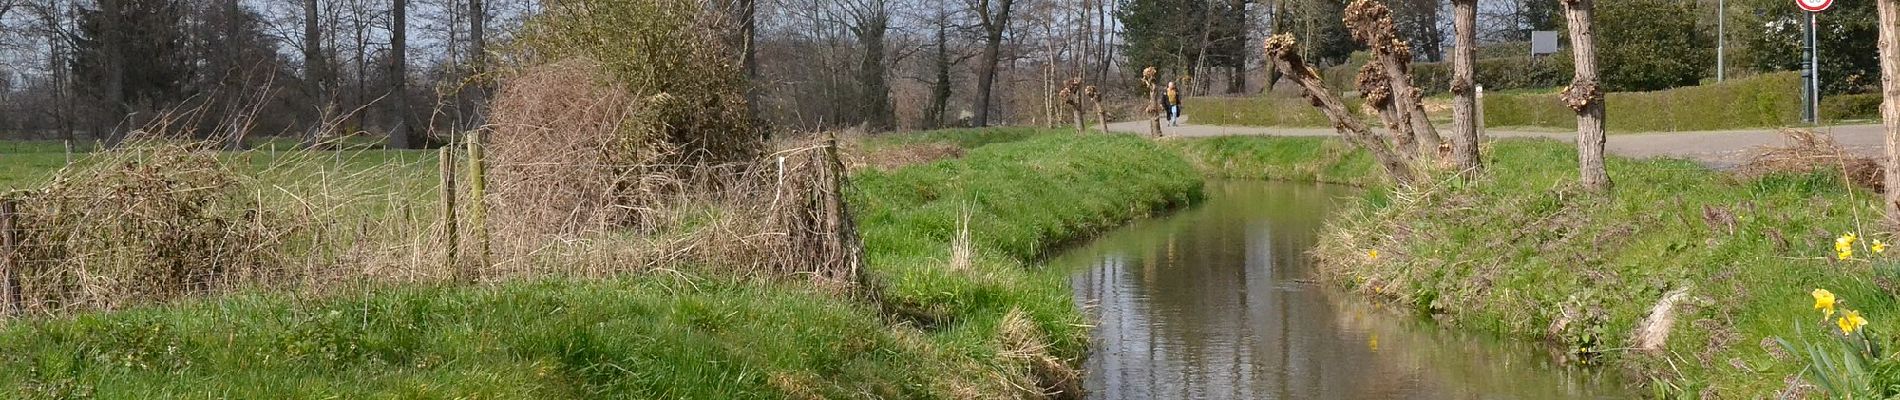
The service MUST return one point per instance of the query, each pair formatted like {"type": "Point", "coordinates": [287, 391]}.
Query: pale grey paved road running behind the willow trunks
{"type": "Point", "coordinates": [1717, 149]}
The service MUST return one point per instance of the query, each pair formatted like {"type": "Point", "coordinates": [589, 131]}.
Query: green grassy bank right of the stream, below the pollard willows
{"type": "Point", "coordinates": [1517, 249]}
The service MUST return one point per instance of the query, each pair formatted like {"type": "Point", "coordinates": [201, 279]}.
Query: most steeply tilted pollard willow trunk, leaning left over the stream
{"type": "Point", "coordinates": [1285, 54]}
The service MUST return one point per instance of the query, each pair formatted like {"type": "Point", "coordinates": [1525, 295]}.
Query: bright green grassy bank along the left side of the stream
{"type": "Point", "coordinates": [972, 331]}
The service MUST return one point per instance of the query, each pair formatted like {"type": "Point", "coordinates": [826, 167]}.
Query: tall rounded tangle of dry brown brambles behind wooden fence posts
{"type": "Point", "coordinates": [573, 153]}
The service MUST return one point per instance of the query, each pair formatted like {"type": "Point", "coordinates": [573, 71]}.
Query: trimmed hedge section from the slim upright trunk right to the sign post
{"type": "Point", "coordinates": [1757, 101]}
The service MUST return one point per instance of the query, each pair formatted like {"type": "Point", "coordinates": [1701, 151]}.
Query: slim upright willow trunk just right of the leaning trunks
{"type": "Point", "coordinates": [1466, 101]}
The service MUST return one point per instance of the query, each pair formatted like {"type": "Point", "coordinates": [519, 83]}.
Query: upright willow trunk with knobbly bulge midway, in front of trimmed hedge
{"type": "Point", "coordinates": [1586, 98]}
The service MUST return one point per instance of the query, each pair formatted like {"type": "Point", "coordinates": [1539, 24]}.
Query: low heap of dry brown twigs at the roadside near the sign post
{"type": "Point", "coordinates": [1814, 153]}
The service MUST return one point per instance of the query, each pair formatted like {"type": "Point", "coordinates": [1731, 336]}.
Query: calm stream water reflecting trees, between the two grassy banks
{"type": "Point", "coordinates": [1215, 304]}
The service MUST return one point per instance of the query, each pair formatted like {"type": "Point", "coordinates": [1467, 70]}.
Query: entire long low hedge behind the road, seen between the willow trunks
{"type": "Point", "coordinates": [1757, 101]}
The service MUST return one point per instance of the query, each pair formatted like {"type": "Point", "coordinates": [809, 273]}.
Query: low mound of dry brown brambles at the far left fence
{"type": "Point", "coordinates": [145, 223]}
